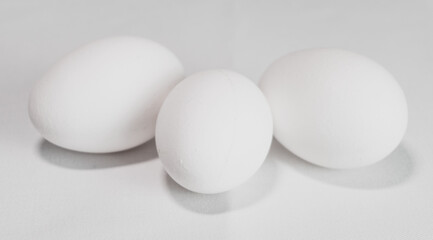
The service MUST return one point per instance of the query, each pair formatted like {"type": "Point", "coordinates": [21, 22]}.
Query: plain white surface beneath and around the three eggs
{"type": "Point", "coordinates": [49, 193]}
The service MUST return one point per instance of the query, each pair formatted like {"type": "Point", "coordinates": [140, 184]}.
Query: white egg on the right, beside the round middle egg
{"type": "Point", "coordinates": [335, 108]}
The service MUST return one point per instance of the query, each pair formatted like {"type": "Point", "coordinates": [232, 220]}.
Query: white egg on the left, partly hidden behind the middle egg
{"type": "Point", "coordinates": [104, 96]}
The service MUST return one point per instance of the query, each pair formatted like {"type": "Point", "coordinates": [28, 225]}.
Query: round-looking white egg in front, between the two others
{"type": "Point", "coordinates": [214, 131]}
